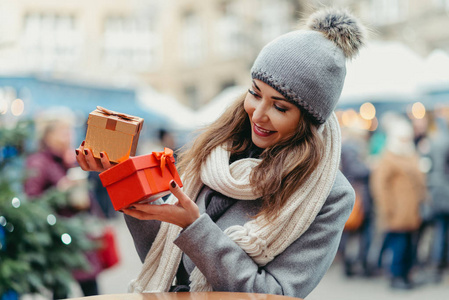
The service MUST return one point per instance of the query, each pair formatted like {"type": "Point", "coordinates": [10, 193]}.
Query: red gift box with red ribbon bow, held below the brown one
{"type": "Point", "coordinates": [144, 178]}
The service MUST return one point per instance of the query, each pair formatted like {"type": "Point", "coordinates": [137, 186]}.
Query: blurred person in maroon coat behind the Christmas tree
{"type": "Point", "coordinates": [48, 168]}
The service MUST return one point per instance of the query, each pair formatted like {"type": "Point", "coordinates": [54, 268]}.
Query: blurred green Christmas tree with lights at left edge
{"type": "Point", "coordinates": [38, 249]}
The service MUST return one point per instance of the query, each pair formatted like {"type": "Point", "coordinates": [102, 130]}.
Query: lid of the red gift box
{"type": "Point", "coordinates": [128, 167]}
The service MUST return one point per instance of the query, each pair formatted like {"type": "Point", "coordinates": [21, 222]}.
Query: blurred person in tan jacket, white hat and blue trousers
{"type": "Point", "coordinates": [398, 187]}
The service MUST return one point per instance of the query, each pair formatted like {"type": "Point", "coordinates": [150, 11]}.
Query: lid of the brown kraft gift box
{"type": "Point", "coordinates": [124, 123]}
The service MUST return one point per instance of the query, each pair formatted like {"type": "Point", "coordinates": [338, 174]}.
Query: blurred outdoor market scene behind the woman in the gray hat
{"type": "Point", "coordinates": [178, 64]}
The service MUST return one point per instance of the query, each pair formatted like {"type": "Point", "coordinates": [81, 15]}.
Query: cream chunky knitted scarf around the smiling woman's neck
{"type": "Point", "coordinates": [262, 240]}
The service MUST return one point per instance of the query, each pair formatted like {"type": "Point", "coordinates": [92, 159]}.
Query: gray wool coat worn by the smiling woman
{"type": "Point", "coordinates": [295, 272]}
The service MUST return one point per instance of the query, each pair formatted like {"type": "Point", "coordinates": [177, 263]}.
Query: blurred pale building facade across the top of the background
{"type": "Point", "coordinates": [189, 49]}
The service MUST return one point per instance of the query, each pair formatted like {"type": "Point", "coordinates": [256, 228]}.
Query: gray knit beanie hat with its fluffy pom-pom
{"type": "Point", "coordinates": [308, 66]}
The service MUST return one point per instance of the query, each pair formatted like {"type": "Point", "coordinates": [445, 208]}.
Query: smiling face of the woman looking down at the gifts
{"type": "Point", "coordinates": [272, 117]}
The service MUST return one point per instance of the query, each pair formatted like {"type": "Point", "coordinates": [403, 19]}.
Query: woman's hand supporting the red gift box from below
{"type": "Point", "coordinates": [182, 213]}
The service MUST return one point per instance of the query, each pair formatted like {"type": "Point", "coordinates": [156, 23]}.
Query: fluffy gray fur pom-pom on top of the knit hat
{"type": "Point", "coordinates": [340, 27]}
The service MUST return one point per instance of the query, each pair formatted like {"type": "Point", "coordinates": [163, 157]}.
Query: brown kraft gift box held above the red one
{"type": "Point", "coordinates": [115, 133]}
